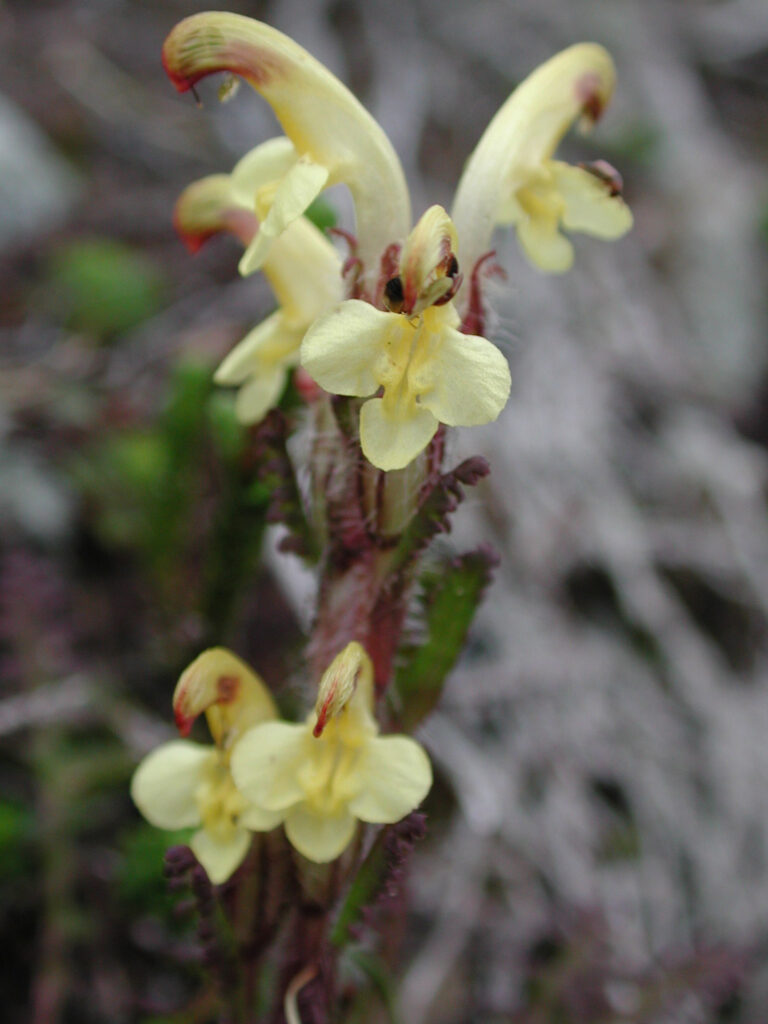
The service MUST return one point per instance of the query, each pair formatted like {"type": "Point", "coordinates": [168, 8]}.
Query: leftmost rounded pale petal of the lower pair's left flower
{"type": "Point", "coordinates": [164, 786]}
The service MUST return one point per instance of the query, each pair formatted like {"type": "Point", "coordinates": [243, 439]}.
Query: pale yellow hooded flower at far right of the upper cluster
{"type": "Point", "coordinates": [511, 178]}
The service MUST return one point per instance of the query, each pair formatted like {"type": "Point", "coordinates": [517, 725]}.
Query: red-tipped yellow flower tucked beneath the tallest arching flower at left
{"type": "Point", "coordinates": [302, 266]}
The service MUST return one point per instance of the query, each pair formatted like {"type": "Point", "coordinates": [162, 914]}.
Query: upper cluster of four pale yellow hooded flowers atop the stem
{"type": "Point", "coordinates": [404, 337]}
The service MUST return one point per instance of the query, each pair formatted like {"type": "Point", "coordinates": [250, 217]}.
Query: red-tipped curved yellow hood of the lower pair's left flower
{"type": "Point", "coordinates": [231, 694]}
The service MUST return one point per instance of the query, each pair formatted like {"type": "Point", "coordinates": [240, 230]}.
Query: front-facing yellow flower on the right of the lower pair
{"type": "Point", "coordinates": [322, 777]}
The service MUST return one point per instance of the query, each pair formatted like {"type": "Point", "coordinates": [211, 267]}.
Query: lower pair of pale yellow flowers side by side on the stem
{"type": "Point", "coordinates": [319, 779]}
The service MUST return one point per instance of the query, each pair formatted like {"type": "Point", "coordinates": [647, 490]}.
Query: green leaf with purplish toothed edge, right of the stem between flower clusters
{"type": "Point", "coordinates": [450, 599]}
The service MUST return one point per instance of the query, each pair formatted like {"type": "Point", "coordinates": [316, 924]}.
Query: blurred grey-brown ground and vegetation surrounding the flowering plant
{"type": "Point", "coordinates": [599, 843]}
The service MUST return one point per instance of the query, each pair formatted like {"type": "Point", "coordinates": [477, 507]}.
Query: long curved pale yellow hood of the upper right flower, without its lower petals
{"type": "Point", "coordinates": [523, 136]}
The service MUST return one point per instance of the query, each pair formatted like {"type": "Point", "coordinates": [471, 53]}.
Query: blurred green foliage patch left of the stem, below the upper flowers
{"type": "Point", "coordinates": [185, 496]}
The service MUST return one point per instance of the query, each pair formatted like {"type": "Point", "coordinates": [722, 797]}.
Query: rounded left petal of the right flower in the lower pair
{"type": "Point", "coordinates": [267, 762]}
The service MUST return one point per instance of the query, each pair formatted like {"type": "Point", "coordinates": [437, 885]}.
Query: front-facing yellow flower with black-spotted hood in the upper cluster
{"type": "Point", "coordinates": [430, 371]}
